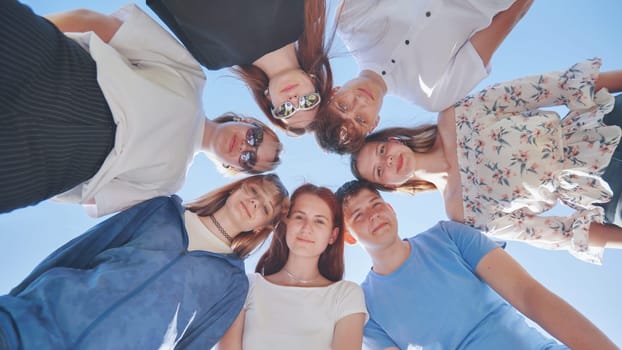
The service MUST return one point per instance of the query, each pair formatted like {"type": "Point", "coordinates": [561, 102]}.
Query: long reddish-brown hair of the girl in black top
{"type": "Point", "coordinates": [312, 53]}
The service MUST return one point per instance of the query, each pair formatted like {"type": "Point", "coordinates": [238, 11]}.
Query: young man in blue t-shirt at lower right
{"type": "Point", "coordinates": [436, 290]}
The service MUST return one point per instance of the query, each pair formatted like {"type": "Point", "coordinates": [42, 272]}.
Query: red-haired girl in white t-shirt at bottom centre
{"type": "Point", "coordinates": [297, 299]}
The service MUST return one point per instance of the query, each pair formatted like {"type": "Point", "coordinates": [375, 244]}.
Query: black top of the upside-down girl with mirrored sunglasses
{"type": "Point", "coordinates": [224, 33]}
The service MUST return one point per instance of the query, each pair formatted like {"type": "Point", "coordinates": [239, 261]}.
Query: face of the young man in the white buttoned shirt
{"type": "Point", "coordinates": [359, 100]}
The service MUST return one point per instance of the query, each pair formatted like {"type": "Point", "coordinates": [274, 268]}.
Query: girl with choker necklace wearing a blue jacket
{"type": "Point", "coordinates": [157, 275]}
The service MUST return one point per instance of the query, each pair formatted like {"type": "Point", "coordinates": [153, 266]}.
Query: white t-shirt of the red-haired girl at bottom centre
{"type": "Point", "coordinates": [282, 317]}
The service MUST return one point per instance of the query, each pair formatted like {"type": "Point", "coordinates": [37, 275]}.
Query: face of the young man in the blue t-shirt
{"type": "Point", "coordinates": [370, 220]}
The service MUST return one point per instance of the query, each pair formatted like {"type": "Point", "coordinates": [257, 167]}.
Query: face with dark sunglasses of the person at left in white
{"type": "Point", "coordinates": [243, 146]}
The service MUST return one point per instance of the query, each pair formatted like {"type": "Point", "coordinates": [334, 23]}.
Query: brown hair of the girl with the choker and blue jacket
{"type": "Point", "coordinates": [245, 242]}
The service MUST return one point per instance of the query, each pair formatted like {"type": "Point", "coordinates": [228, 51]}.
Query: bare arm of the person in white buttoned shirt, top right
{"type": "Point", "coordinates": [488, 40]}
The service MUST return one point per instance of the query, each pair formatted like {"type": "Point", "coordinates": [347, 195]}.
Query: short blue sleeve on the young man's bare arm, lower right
{"type": "Point", "coordinates": [471, 243]}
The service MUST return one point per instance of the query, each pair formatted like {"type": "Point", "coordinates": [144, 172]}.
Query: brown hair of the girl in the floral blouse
{"type": "Point", "coordinates": [419, 139]}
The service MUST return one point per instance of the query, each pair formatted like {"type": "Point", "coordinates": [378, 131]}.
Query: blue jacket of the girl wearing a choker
{"type": "Point", "coordinates": [122, 283]}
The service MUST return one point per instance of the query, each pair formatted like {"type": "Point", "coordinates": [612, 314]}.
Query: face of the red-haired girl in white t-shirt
{"type": "Point", "coordinates": [310, 226]}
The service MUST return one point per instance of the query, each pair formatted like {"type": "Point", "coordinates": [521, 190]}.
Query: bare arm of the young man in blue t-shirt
{"type": "Point", "coordinates": [552, 313]}
